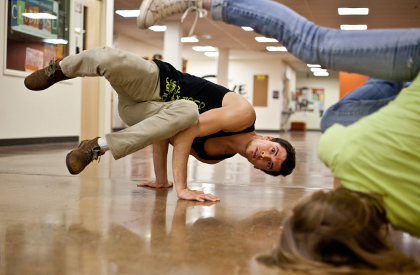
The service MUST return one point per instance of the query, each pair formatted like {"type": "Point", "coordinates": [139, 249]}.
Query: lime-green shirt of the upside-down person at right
{"type": "Point", "coordinates": [381, 153]}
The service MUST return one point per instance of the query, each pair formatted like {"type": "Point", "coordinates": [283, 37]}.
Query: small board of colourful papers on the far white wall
{"type": "Point", "coordinates": [309, 100]}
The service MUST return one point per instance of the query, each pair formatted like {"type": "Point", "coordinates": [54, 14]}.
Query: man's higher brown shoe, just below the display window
{"type": "Point", "coordinates": [44, 78]}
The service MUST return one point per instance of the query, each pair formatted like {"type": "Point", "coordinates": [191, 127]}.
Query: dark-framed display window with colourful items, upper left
{"type": "Point", "coordinates": [37, 31]}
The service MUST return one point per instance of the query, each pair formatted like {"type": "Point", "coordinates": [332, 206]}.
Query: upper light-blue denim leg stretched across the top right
{"type": "Point", "coordinates": [392, 54]}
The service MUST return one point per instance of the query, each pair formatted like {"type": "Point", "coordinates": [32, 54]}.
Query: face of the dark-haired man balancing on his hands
{"type": "Point", "coordinates": [265, 154]}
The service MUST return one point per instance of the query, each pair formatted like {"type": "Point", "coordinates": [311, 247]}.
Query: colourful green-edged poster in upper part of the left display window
{"type": "Point", "coordinates": [25, 13]}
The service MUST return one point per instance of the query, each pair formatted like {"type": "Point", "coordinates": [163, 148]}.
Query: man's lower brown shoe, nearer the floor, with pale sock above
{"type": "Point", "coordinates": [78, 159]}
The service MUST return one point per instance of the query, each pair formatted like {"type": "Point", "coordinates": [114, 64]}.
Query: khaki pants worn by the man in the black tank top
{"type": "Point", "coordinates": [136, 82]}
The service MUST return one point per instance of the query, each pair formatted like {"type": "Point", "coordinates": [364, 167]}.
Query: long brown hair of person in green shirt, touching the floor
{"type": "Point", "coordinates": [338, 231]}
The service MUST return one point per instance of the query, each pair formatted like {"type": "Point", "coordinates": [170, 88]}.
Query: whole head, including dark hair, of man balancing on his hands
{"type": "Point", "coordinates": [274, 156]}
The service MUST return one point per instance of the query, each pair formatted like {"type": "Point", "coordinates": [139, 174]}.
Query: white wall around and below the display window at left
{"type": "Point", "coordinates": [54, 112]}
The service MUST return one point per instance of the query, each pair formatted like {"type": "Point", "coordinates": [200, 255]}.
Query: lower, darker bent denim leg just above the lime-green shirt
{"type": "Point", "coordinates": [361, 102]}
